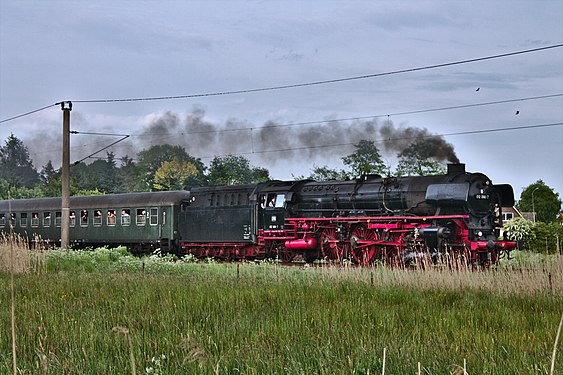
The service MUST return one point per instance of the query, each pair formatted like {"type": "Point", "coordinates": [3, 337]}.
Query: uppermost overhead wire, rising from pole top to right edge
{"type": "Point", "coordinates": [324, 82]}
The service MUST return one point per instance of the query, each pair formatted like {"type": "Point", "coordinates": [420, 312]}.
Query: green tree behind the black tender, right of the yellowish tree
{"type": "Point", "coordinates": [231, 170]}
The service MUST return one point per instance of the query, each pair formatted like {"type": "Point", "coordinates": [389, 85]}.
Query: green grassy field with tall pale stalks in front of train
{"type": "Point", "coordinates": [106, 312]}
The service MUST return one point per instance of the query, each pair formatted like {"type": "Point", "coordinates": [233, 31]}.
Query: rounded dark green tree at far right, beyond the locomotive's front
{"type": "Point", "coordinates": [541, 199]}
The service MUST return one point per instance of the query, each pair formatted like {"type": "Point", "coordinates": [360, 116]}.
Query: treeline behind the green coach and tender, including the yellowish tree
{"type": "Point", "coordinates": [161, 167]}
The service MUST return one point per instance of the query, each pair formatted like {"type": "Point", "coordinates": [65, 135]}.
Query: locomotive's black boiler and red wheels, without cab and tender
{"type": "Point", "coordinates": [400, 218]}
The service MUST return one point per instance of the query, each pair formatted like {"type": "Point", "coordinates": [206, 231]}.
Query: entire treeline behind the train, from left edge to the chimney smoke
{"type": "Point", "coordinates": [169, 167]}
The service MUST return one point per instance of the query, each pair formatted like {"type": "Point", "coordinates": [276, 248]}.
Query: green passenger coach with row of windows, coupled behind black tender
{"type": "Point", "coordinates": [140, 221]}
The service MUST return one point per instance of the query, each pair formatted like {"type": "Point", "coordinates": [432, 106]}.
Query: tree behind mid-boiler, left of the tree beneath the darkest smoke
{"type": "Point", "coordinates": [365, 160]}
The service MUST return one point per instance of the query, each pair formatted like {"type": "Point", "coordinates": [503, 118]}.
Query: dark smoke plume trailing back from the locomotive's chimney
{"type": "Point", "coordinates": [271, 143]}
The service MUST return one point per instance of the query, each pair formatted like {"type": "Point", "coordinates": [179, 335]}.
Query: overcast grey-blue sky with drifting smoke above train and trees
{"type": "Point", "coordinates": [52, 51]}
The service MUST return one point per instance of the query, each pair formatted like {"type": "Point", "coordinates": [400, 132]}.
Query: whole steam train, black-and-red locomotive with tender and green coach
{"type": "Point", "coordinates": [396, 220]}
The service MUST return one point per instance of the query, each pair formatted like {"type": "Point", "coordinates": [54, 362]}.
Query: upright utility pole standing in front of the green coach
{"type": "Point", "coordinates": [65, 176]}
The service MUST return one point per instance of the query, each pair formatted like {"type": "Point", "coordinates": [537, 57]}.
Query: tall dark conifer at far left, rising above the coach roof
{"type": "Point", "coordinates": [15, 165]}
